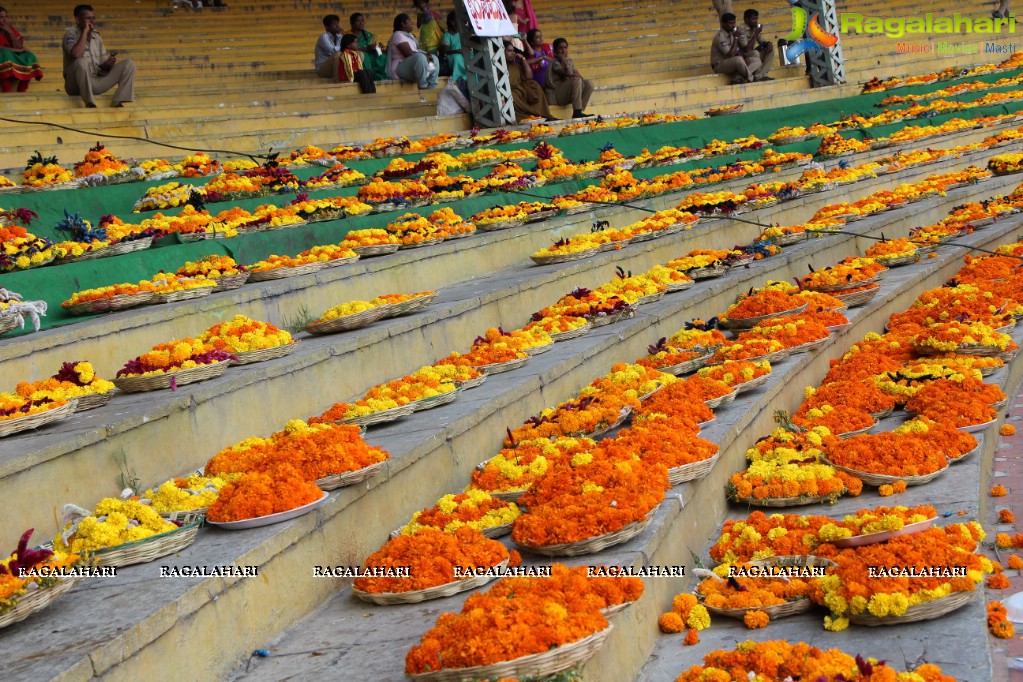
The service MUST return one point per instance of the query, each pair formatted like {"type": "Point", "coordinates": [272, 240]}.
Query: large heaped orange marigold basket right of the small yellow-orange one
{"type": "Point", "coordinates": [597, 501]}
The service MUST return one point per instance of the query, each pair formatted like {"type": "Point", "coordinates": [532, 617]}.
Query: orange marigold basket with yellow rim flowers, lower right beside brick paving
{"type": "Point", "coordinates": [927, 581]}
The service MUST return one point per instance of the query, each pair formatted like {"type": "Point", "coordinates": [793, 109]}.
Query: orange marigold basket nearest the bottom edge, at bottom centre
{"type": "Point", "coordinates": [547, 632]}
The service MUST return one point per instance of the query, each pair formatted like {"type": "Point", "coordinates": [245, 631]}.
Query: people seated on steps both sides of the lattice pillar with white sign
{"type": "Point", "coordinates": [541, 74]}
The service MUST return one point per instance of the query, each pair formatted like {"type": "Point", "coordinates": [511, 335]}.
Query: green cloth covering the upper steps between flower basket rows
{"type": "Point", "coordinates": [56, 285]}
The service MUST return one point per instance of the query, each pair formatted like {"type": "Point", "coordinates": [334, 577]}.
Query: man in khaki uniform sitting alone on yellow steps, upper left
{"type": "Point", "coordinates": [90, 69]}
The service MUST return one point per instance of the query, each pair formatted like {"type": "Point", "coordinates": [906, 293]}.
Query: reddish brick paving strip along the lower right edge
{"type": "Point", "coordinates": [1008, 472]}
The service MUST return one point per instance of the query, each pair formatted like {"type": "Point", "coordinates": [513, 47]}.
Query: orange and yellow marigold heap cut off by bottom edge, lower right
{"type": "Point", "coordinates": [780, 660]}
